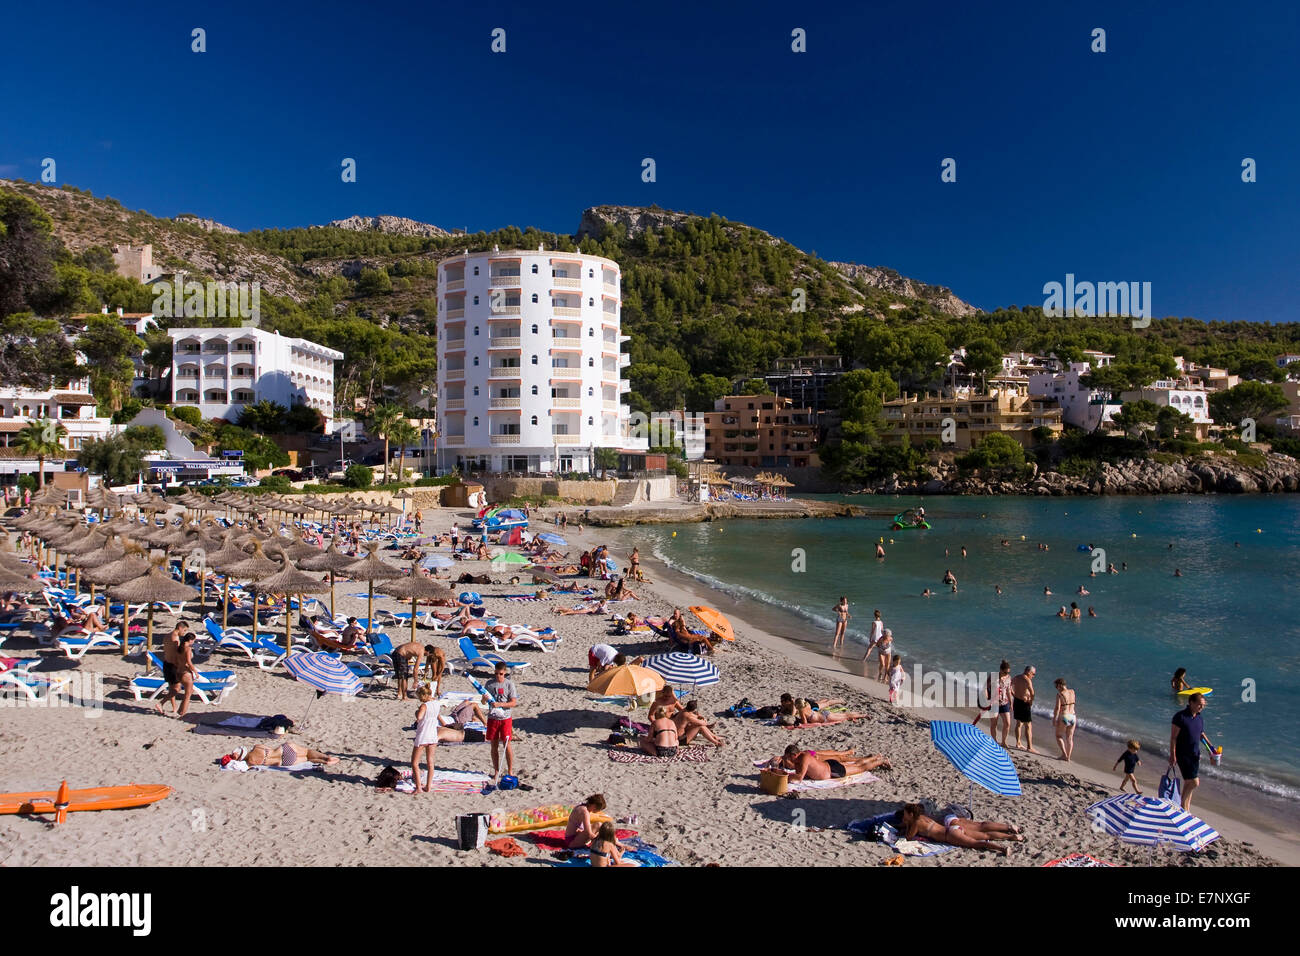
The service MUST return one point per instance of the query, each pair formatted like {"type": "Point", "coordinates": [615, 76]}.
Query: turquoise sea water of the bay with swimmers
{"type": "Point", "coordinates": [1232, 620]}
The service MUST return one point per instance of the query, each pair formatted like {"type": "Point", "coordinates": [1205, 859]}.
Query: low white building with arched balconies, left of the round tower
{"type": "Point", "coordinates": [223, 371]}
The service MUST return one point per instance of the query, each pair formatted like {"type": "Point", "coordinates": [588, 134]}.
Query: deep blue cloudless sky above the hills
{"type": "Point", "coordinates": [1116, 167]}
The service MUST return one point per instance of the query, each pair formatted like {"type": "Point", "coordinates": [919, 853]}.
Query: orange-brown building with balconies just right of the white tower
{"type": "Point", "coordinates": [761, 432]}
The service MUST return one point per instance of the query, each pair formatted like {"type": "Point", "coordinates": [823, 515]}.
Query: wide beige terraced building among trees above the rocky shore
{"type": "Point", "coordinates": [1007, 409]}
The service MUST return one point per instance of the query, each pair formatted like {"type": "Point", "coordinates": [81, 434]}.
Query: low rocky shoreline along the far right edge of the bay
{"type": "Point", "coordinates": [1194, 475]}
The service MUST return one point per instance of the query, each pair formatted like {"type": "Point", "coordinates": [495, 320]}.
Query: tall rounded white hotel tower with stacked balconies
{"type": "Point", "coordinates": [530, 361]}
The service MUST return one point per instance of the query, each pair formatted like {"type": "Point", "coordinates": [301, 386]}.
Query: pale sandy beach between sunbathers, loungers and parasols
{"type": "Point", "coordinates": [694, 812]}
